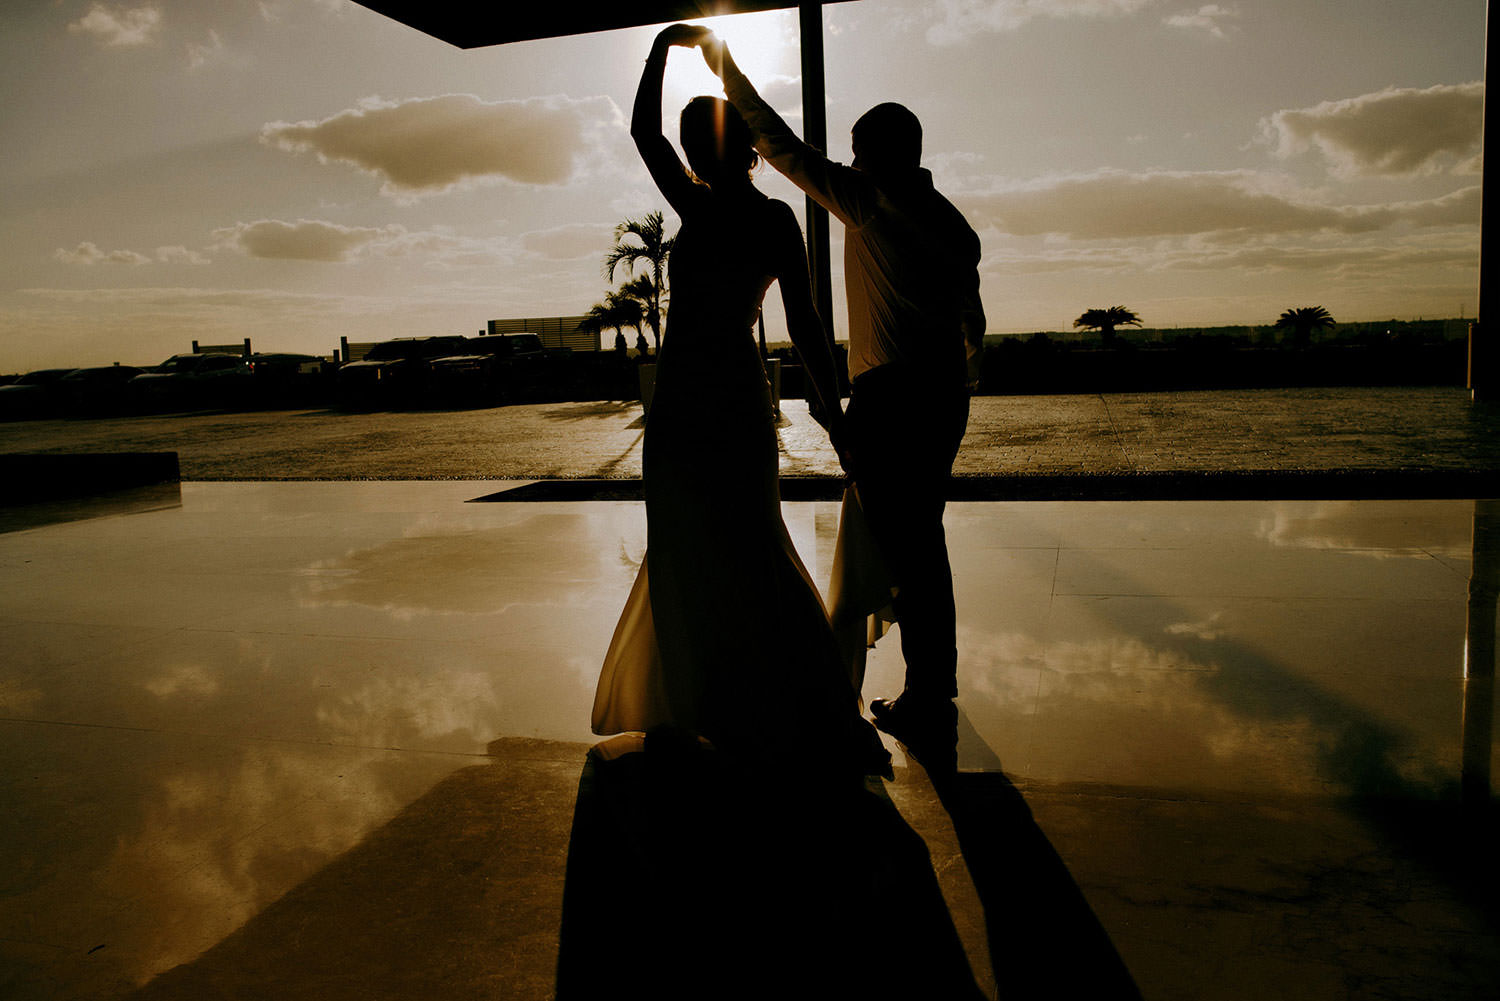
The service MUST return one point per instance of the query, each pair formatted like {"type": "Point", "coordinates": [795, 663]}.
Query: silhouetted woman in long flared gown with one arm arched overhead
{"type": "Point", "coordinates": [725, 634]}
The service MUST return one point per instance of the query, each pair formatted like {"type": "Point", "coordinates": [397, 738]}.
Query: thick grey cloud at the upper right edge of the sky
{"type": "Point", "coordinates": [1391, 133]}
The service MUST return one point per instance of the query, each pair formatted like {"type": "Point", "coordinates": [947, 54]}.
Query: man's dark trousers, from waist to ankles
{"type": "Point", "coordinates": [905, 436]}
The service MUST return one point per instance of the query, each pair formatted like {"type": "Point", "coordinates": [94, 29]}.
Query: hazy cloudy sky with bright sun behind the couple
{"type": "Point", "coordinates": [302, 170]}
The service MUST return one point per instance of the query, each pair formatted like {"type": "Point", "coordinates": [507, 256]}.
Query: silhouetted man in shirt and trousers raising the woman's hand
{"type": "Point", "coordinates": [916, 332]}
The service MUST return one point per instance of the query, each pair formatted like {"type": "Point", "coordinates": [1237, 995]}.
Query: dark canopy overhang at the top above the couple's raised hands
{"type": "Point", "coordinates": [470, 25]}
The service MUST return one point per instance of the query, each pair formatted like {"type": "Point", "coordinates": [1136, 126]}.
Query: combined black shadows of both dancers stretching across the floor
{"type": "Point", "coordinates": [691, 879]}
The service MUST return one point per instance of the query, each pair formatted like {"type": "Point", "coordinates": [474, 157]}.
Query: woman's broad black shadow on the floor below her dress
{"type": "Point", "coordinates": [689, 880]}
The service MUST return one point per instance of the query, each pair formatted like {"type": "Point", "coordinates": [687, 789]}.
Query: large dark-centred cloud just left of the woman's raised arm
{"type": "Point", "coordinates": [434, 145]}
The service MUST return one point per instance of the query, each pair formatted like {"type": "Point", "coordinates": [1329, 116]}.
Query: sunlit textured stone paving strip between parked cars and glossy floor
{"type": "Point", "coordinates": [1303, 430]}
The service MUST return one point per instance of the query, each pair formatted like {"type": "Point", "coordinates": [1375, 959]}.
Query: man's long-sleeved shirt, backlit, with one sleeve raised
{"type": "Point", "coordinates": [911, 260]}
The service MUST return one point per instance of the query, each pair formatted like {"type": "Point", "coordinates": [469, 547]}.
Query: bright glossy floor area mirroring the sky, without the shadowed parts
{"type": "Point", "coordinates": [202, 706]}
